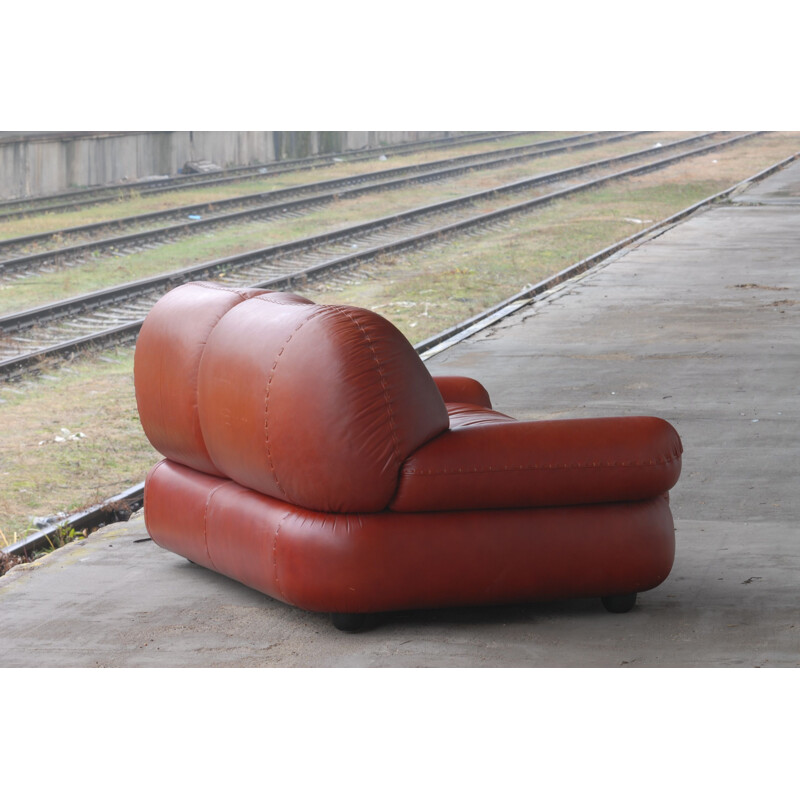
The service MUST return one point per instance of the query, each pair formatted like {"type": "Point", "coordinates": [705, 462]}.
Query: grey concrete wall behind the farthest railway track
{"type": "Point", "coordinates": [34, 163]}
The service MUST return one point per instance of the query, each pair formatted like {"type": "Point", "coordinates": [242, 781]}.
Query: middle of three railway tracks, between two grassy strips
{"type": "Point", "coordinates": [17, 257]}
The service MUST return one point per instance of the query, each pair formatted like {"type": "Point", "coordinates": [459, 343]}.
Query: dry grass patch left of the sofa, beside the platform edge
{"type": "Point", "coordinates": [70, 439]}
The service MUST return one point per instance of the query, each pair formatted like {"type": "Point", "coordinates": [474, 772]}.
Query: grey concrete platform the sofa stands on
{"type": "Point", "coordinates": [699, 325]}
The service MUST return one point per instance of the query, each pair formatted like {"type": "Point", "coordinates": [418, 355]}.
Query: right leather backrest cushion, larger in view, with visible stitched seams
{"type": "Point", "coordinates": [316, 405]}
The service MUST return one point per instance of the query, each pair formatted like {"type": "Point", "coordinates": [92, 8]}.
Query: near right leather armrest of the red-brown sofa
{"type": "Point", "coordinates": [547, 463]}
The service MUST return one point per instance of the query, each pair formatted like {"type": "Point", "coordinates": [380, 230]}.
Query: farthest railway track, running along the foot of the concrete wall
{"type": "Point", "coordinates": [76, 198]}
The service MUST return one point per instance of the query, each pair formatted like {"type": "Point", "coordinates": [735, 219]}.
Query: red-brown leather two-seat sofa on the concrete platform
{"type": "Point", "coordinates": [310, 455]}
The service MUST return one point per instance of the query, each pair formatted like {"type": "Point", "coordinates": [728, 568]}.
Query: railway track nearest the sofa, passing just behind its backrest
{"type": "Point", "coordinates": [116, 314]}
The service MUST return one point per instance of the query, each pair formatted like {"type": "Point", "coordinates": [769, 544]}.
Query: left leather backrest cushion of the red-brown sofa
{"type": "Point", "coordinates": [166, 363]}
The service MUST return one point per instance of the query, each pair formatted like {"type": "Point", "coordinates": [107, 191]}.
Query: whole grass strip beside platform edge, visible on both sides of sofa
{"type": "Point", "coordinates": [422, 292]}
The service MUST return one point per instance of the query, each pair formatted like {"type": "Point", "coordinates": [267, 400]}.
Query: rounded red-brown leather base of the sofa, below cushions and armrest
{"type": "Point", "coordinates": [376, 562]}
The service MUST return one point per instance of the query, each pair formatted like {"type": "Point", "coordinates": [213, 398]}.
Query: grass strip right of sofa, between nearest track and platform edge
{"type": "Point", "coordinates": [426, 291]}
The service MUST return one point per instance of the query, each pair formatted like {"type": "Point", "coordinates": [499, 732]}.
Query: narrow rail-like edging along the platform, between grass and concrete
{"type": "Point", "coordinates": [431, 346]}
